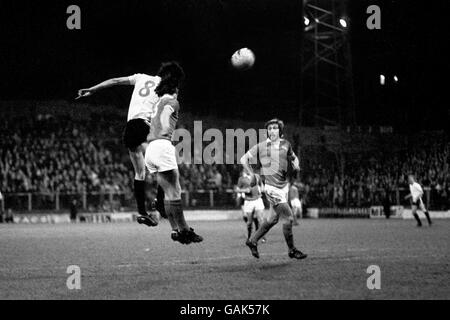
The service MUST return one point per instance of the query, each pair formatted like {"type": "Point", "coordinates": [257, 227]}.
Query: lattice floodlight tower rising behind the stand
{"type": "Point", "coordinates": [327, 91]}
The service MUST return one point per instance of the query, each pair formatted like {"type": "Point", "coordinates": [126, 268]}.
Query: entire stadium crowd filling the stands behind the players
{"type": "Point", "coordinates": [47, 155]}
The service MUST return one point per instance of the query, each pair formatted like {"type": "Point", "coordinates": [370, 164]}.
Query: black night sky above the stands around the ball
{"type": "Point", "coordinates": [41, 59]}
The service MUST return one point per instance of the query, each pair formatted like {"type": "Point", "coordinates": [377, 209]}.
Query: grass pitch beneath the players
{"type": "Point", "coordinates": [130, 261]}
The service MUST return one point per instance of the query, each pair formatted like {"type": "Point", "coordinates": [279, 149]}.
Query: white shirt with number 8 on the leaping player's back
{"type": "Point", "coordinates": [144, 99]}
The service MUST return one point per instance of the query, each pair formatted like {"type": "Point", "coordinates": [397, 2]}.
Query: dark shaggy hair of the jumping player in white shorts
{"type": "Point", "coordinates": [171, 75]}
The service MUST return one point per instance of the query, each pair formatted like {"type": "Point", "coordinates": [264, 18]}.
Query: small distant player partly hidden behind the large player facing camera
{"type": "Point", "coordinates": [253, 207]}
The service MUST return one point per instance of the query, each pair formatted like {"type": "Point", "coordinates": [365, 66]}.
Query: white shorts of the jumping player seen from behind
{"type": "Point", "coordinates": [160, 156]}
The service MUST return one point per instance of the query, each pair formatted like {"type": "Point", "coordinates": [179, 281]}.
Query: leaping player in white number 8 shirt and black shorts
{"type": "Point", "coordinates": [141, 110]}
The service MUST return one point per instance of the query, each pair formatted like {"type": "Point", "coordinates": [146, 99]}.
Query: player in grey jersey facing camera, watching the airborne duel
{"type": "Point", "coordinates": [274, 156]}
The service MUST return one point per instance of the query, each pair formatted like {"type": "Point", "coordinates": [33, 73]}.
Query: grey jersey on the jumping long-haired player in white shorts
{"type": "Point", "coordinates": [156, 129]}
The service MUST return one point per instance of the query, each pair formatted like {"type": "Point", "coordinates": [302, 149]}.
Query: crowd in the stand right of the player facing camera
{"type": "Point", "coordinates": [368, 178]}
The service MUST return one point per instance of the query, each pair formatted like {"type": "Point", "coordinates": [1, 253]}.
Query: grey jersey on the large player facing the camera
{"type": "Point", "coordinates": [273, 161]}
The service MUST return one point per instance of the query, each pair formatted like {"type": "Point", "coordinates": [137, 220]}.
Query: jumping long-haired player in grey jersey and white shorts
{"type": "Point", "coordinates": [160, 154]}
